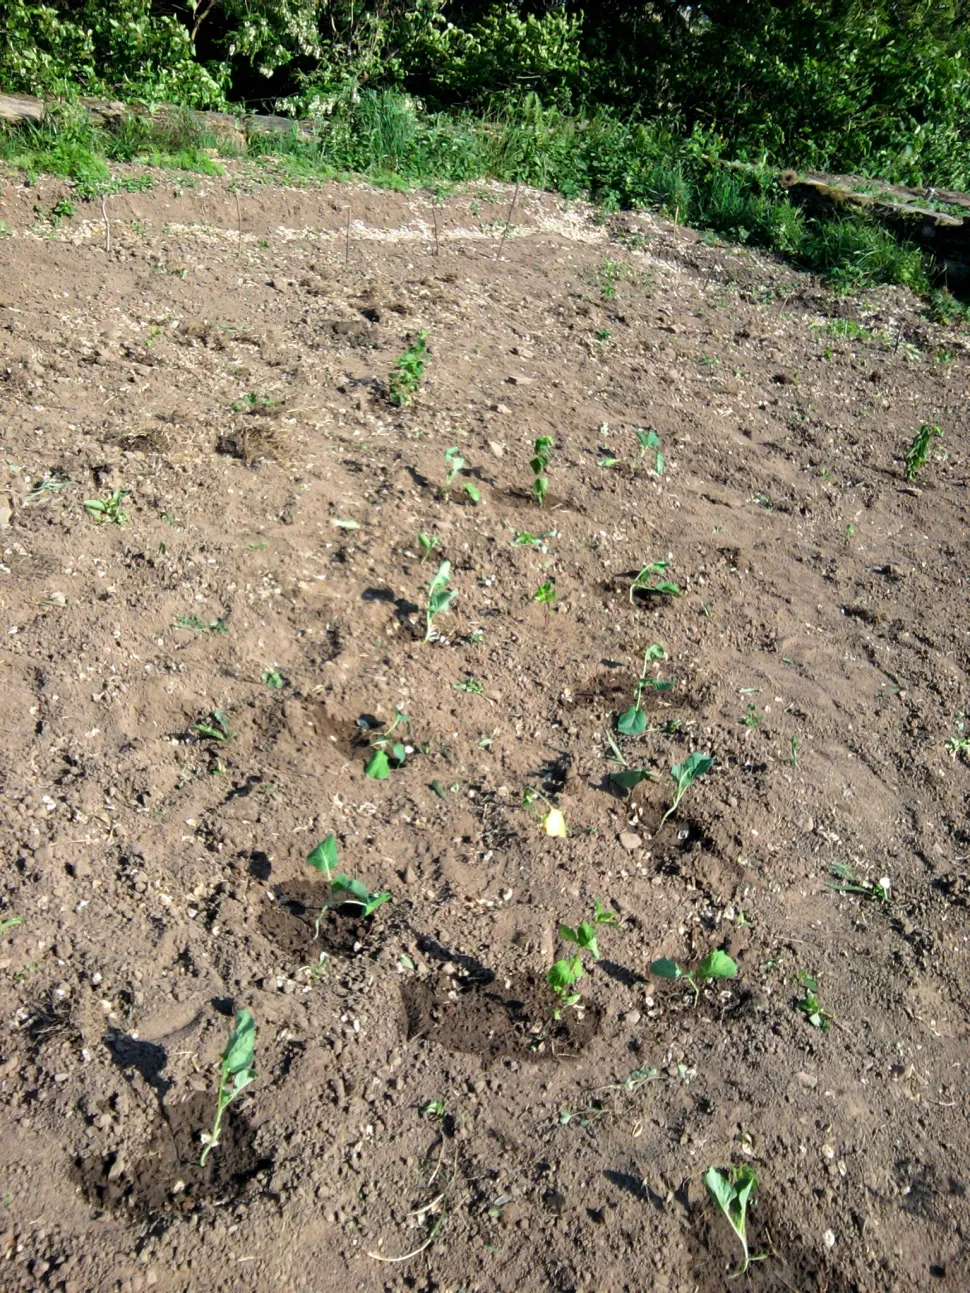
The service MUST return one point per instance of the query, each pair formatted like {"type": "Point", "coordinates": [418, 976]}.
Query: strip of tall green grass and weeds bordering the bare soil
{"type": "Point", "coordinates": [391, 140]}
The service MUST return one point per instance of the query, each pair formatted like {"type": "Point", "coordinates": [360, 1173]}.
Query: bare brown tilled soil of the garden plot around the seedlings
{"type": "Point", "coordinates": [162, 879]}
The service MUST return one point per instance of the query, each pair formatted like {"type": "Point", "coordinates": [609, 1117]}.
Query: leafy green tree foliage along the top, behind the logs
{"type": "Point", "coordinates": [841, 85]}
